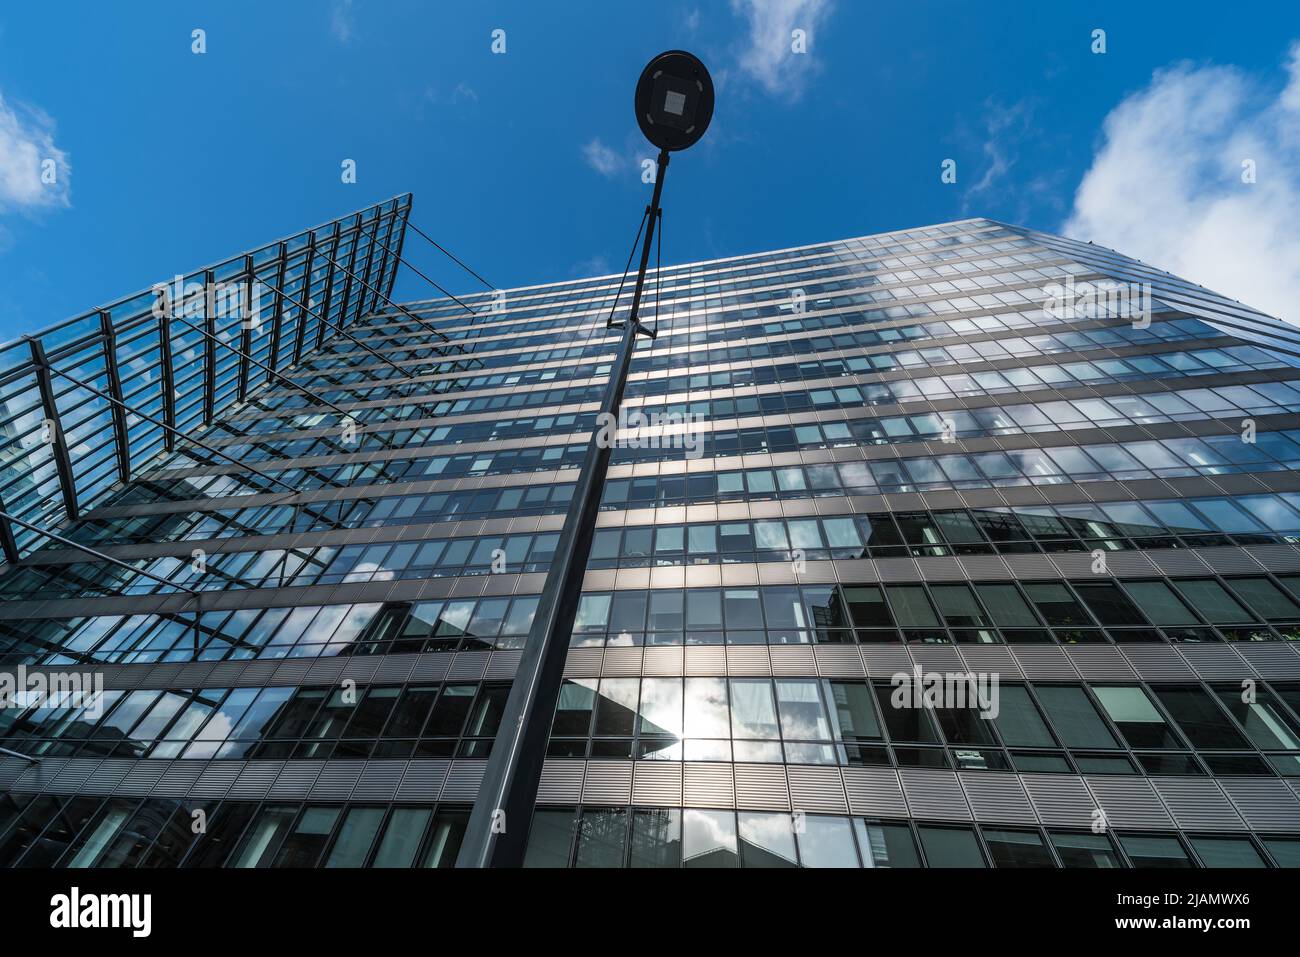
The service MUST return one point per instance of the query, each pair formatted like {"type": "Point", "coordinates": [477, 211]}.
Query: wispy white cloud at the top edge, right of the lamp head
{"type": "Point", "coordinates": [768, 57]}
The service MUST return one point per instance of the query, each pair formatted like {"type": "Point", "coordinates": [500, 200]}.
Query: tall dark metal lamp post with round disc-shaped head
{"type": "Point", "coordinates": [674, 105]}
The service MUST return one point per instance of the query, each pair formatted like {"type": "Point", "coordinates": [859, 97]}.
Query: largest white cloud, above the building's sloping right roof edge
{"type": "Point", "coordinates": [1167, 185]}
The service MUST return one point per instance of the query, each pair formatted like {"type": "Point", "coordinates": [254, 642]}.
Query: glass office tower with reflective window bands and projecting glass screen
{"type": "Point", "coordinates": [1056, 487]}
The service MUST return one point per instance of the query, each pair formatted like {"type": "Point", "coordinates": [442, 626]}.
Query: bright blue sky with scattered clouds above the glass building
{"type": "Point", "coordinates": [526, 163]}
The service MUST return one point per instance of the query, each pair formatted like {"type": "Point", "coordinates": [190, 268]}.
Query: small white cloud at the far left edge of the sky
{"type": "Point", "coordinates": [27, 149]}
